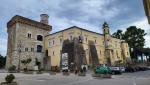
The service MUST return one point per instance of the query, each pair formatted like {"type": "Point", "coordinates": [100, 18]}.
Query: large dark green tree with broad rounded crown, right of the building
{"type": "Point", "coordinates": [135, 38]}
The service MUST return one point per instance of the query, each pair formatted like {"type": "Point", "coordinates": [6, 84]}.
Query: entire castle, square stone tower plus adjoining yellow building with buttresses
{"type": "Point", "coordinates": [31, 39]}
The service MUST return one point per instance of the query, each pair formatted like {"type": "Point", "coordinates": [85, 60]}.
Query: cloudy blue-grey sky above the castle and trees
{"type": "Point", "coordinates": [88, 14]}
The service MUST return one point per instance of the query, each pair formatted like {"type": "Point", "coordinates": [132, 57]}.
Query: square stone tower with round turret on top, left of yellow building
{"type": "Point", "coordinates": [26, 40]}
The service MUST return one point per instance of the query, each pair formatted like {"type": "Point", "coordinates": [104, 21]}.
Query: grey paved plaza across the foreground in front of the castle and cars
{"type": "Point", "coordinates": [137, 78]}
